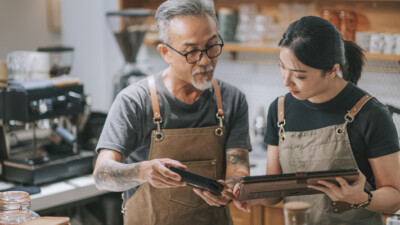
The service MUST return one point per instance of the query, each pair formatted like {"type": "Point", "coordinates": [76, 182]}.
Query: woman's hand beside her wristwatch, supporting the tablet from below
{"type": "Point", "coordinates": [353, 194]}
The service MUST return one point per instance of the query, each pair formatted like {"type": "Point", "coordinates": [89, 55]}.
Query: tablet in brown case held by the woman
{"type": "Point", "coordinates": [290, 184]}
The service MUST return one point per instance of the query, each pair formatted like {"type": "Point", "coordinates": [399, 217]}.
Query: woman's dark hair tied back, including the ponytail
{"type": "Point", "coordinates": [318, 44]}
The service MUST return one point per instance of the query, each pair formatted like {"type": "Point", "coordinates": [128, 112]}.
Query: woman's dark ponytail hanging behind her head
{"type": "Point", "coordinates": [354, 62]}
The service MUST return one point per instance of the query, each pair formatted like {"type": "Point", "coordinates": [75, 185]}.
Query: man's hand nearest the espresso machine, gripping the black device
{"type": "Point", "coordinates": [157, 173]}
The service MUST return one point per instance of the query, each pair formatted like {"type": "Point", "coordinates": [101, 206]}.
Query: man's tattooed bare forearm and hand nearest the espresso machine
{"type": "Point", "coordinates": [110, 174]}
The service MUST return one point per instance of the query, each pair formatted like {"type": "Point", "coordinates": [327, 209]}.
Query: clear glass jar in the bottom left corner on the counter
{"type": "Point", "coordinates": [15, 207]}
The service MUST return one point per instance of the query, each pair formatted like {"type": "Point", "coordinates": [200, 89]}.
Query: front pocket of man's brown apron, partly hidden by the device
{"type": "Point", "coordinates": [186, 195]}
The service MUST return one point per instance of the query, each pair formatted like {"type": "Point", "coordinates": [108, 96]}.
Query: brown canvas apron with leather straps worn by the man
{"type": "Point", "coordinates": [202, 151]}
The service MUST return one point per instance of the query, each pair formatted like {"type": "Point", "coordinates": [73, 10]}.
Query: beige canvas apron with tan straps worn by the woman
{"type": "Point", "coordinates": [326, 148]}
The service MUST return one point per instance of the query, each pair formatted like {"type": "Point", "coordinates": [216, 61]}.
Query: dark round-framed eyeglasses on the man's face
{"type": "Point", "coordinates": [195, 55]}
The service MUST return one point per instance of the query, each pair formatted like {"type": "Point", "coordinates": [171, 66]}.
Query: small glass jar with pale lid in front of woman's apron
{"type": "Point", "coordinates": [296, 213]}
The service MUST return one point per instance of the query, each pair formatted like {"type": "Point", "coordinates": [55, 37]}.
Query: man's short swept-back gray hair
{"type": "Point", "coordinates": [171, 8]}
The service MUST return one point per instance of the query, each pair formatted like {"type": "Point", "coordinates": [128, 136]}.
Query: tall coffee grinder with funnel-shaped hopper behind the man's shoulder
{"type": "Point", "coordinates": [129, 27]}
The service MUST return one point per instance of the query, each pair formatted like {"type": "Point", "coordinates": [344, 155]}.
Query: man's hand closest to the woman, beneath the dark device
{"type": "Point", "coordinates": [214, 200]}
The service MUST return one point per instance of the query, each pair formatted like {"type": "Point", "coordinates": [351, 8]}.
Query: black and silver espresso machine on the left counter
{"type": "Point", "coordinates": [39, 123]}
